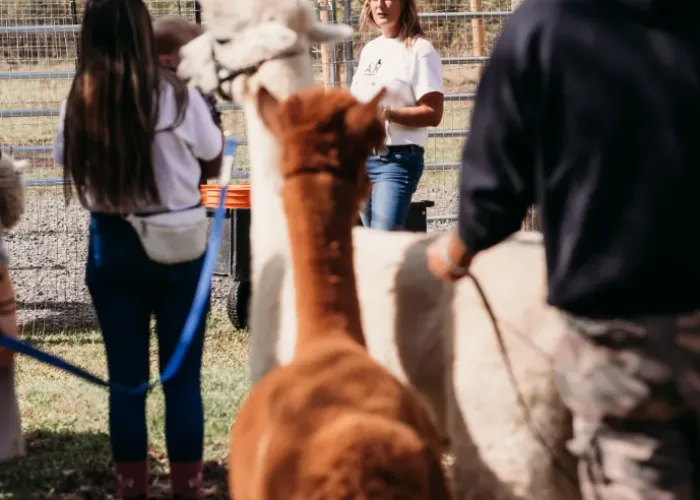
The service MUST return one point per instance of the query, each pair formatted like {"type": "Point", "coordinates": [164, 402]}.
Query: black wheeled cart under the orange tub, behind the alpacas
{"type": "Point", "coordinates": [234, 255]}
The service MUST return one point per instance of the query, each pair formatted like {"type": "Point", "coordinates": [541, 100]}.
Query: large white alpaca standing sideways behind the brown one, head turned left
{"type": "Point", "coordinates": [433, 335]}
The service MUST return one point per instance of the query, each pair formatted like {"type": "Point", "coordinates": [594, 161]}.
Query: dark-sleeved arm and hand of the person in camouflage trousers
{"type": "Point", "coordinates": [498, 160]}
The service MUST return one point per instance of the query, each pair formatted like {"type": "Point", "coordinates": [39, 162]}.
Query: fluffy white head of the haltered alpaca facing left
{"type": "Point", "coordinates": [243, 33]}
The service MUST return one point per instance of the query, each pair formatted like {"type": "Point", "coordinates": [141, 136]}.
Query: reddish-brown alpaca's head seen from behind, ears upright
{"type": "Point", "coordinates": [324, 130]}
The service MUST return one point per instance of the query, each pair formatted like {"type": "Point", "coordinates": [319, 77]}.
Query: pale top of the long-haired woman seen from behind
{"type": "Point", "coordinates": [175, 152]}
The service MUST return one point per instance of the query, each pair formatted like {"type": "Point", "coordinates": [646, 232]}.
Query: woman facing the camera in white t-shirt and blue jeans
{"type": "Point", "coordinates": [404, 61]}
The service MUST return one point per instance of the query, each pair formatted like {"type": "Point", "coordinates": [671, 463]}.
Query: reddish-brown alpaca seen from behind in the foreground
{"type": "Point", "coordinates": [332, 424]}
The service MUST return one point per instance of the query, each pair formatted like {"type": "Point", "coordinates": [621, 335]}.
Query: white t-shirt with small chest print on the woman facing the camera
{"type": "Point", "coordinates": [408, 72]}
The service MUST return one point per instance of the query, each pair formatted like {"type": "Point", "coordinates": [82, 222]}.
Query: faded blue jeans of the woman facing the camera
{"type": "Point", "coordinates": [394, 179]}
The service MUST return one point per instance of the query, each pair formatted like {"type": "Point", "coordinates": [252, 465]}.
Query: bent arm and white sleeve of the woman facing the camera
{"type": "Point", "coordinates": [427, 84]}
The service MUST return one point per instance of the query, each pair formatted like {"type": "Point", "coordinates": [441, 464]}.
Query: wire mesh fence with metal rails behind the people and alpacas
{"type": "Point", "coordinates": [37, 60]}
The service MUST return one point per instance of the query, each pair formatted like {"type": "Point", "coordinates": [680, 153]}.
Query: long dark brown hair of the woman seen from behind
{"type": "Point", "coordinates": [113, 107]}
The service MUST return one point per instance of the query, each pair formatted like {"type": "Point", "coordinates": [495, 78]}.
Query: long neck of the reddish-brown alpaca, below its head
{"type": "Point", "coordinates": [321, 211]}
